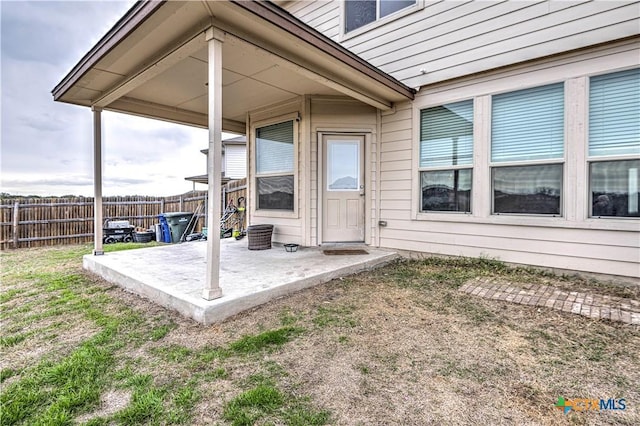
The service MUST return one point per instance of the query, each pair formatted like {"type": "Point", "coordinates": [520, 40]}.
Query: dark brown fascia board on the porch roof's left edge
{"type": "Point", "coordinates": [131, 20]}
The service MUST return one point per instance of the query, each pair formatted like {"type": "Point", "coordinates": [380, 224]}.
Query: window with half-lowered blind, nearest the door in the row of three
{"type": "Point", "coordinates": [446, 157]}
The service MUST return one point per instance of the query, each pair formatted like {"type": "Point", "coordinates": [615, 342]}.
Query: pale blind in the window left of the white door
{"type": "Point", "coordinates": [274, 148]}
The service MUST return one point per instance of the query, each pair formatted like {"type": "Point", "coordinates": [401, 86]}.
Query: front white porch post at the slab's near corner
{"type": "Point", "coordinates": [215, 38]}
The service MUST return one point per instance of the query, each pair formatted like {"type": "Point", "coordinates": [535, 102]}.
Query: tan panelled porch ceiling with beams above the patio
{"type": "Point", "coordinates": [154, 63]}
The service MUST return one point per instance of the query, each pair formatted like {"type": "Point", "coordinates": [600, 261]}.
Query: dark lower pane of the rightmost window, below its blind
{"type": "Point", "coordinates": [614, 188]}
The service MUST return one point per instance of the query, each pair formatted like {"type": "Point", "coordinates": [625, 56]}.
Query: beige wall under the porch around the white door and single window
{"type": "Point", "coordinates": [317, 116]}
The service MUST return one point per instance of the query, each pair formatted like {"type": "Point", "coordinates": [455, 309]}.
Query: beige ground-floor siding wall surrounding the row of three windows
{"type": "Point", "coordinates": [574, 241]}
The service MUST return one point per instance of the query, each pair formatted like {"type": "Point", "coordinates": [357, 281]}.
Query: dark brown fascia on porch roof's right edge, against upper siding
{"type": "Point", "coordinates": [284, 20]}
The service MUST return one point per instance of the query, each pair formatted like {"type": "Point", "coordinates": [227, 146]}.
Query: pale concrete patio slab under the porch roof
{"type": "Point", "coordinates": [173, 276]}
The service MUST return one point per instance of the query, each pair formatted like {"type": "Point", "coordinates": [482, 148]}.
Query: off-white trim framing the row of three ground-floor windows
{"type": "Point", "coordinates": [576, 171]}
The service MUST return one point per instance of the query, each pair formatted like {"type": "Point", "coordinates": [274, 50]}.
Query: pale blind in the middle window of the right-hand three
{"type": "Point", "coordinates": [528, 124]}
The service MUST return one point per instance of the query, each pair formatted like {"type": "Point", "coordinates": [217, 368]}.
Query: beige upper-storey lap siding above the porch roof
{"type": "Point", "coordinates": [440, 40]}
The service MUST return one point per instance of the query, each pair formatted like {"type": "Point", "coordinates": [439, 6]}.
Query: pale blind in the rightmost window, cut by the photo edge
{"type": "Point", "coordinates": [614, 114]}
